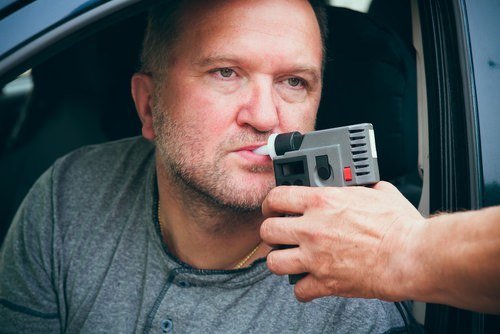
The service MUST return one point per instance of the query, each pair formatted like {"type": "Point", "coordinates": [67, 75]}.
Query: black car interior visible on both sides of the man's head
{"type": "Point", "coordinates": [81, 95]}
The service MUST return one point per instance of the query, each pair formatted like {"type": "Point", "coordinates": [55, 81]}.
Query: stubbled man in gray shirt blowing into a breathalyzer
{"type": "Point", "coordinates": [131, 236]}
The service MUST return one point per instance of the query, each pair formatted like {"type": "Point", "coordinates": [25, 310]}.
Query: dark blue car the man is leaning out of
{"type": "Point", "coordinates": [425, 73]}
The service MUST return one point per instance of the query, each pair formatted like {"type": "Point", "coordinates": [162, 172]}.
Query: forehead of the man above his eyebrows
{"type": "Point", "coordinates": [264, 30]}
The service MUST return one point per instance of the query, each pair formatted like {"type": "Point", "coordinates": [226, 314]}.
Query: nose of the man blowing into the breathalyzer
{"type": "Point", "coordinates": [260, 110]}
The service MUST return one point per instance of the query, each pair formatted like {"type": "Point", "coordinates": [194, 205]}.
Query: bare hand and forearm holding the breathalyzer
{"type": "Point", "coordinates": [384, 249]}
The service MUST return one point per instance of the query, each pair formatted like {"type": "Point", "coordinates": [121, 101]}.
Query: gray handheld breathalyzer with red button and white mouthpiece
{"type": "Point", "coordinates": [343, 156]}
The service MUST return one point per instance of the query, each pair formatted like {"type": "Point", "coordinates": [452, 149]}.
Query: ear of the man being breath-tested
{"type": "Point", "coordinates": [142, 86]}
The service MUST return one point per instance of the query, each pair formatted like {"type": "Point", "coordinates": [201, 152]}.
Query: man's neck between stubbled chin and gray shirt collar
{"type": "Point", "coordinates": [201, 234]}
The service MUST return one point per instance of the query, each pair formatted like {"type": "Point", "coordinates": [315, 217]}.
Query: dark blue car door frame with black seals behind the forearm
{"type": "Point", "coordinates": [462, 74]}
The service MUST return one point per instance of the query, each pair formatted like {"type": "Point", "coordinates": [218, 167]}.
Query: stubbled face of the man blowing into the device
{"type": "Point", "coordinates": [240, 71]}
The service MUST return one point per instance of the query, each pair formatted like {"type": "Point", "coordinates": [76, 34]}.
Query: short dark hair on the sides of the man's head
{"type": "Point", "coordinates": [163, 29]}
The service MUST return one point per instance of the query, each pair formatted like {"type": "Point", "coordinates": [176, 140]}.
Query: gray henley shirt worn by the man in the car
{"type": "Point", "coordinates": [84, 254]}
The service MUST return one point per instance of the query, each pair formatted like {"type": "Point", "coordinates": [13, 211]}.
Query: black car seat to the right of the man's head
{"type": "Point", "coordinates": [370, 77]}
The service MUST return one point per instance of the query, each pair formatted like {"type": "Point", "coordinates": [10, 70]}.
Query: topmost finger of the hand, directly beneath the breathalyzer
{"type": "Point", "coordinates": [287, 200]}
